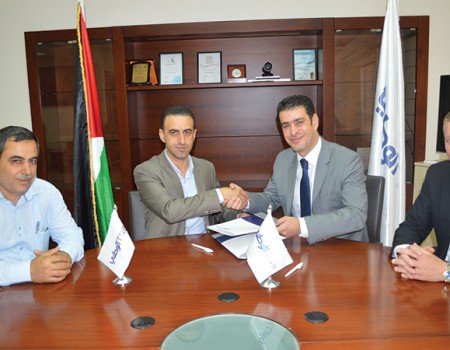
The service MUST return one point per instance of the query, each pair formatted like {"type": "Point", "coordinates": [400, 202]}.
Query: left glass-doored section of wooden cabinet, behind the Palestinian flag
{"type": "Point", "coordinates": [50, 59]}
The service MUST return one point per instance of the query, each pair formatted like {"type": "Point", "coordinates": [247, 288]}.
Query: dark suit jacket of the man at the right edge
{"type": "Point", "coordinates": [430, 210]}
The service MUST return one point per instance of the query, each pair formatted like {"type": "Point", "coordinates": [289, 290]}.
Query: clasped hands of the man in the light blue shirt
{"type": "Point", "coordinates": [50, 266]}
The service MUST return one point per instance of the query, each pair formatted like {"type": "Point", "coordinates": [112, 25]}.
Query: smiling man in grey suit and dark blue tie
{"type": "Point", "coordinates": [337, 191]}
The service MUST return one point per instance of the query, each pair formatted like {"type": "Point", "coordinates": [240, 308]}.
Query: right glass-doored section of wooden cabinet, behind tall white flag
{"type": "Point", "coordinates": [355, 83]}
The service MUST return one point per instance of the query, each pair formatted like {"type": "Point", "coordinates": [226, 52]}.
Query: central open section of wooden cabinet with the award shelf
{"type": "Point", "coordinates": [236, 123]}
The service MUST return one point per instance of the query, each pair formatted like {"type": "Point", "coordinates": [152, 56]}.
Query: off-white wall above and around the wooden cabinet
{"type": "Point", "coordinates": [19, 16]}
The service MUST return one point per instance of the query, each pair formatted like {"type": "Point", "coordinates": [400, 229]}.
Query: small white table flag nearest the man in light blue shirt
{"type": "Point", "coordinates": [118, 248]}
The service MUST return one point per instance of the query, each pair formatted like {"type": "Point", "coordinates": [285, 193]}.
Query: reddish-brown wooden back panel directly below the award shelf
{"type": "Point", "coordinates": [241, 111]}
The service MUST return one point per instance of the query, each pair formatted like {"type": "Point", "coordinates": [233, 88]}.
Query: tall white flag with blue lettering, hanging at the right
{"type": "Point", "coordinates": [387, 152]}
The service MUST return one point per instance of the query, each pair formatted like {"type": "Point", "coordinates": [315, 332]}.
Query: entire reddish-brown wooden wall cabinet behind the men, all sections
{"type": "Point", "coordinates": [236, 122]}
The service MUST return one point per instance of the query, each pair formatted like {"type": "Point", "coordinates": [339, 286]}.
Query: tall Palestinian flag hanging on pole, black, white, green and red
{"type": "Point", "coordinates": [93, 196]}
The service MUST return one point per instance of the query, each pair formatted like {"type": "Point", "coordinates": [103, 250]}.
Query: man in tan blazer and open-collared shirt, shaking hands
{"type": "Point", "coordinates": [181, 193]}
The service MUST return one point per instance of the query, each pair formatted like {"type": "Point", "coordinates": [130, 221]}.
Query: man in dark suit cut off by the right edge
{"type": "Point", "coordinates": [430, 210]}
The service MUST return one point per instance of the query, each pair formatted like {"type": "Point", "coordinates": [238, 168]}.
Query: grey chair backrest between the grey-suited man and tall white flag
{"type": "Point", "coordinates": [375, 197]}
